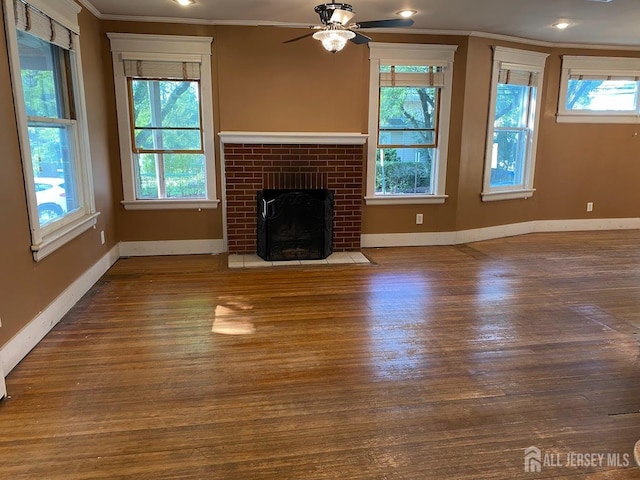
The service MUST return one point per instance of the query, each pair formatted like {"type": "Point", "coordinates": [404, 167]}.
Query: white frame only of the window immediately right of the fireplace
{"type": "Point", "coordinates": [409, 54]}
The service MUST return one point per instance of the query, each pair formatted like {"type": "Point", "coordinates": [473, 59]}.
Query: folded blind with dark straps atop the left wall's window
{"type": "Point", "coordinates": [30, 19]}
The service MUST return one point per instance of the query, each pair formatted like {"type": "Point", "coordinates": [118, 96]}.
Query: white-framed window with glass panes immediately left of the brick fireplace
{"type": "Point", "coordinates": [165, 119]}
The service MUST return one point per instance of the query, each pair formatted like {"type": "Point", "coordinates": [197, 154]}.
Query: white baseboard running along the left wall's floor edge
{"type": "Point", "coordinates": [23, 342]}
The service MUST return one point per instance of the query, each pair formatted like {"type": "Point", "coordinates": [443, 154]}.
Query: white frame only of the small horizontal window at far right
{"type": "Point", "coordinates": [624, 67]}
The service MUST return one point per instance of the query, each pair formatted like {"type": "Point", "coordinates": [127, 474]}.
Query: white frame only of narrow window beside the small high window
{"type": "Point", "coordinates": [521, 60]}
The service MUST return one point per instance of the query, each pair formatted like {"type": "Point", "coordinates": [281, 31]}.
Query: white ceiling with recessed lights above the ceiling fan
{"type": "Point", "coordinates": [592, 22]}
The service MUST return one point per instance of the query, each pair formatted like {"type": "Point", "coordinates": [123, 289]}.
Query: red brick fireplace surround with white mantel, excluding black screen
{"type": "Point", "coordinates": [254, 162]}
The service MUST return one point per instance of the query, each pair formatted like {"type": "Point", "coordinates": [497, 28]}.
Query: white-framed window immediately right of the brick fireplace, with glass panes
{"type": "Point", "coordinates": [410, 98]}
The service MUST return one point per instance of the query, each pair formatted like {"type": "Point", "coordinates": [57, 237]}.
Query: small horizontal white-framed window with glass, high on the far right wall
{"type": "Point", "coordinates": [599, 90]}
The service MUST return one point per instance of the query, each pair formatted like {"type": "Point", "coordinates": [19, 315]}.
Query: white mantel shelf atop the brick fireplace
{"type": "Point", "coordinates": [298, 138]}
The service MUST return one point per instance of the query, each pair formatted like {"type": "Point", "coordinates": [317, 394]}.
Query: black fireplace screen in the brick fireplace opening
{"type": "Point", "coordinates": [295, 224]}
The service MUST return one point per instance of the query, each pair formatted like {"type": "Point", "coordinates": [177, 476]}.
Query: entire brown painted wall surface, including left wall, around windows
{"type": "Point", "coordinates": [261, 84]}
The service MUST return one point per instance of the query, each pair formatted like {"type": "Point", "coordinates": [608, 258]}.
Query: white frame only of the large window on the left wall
{"type": "Point", "coordinates": [48, 238]}
